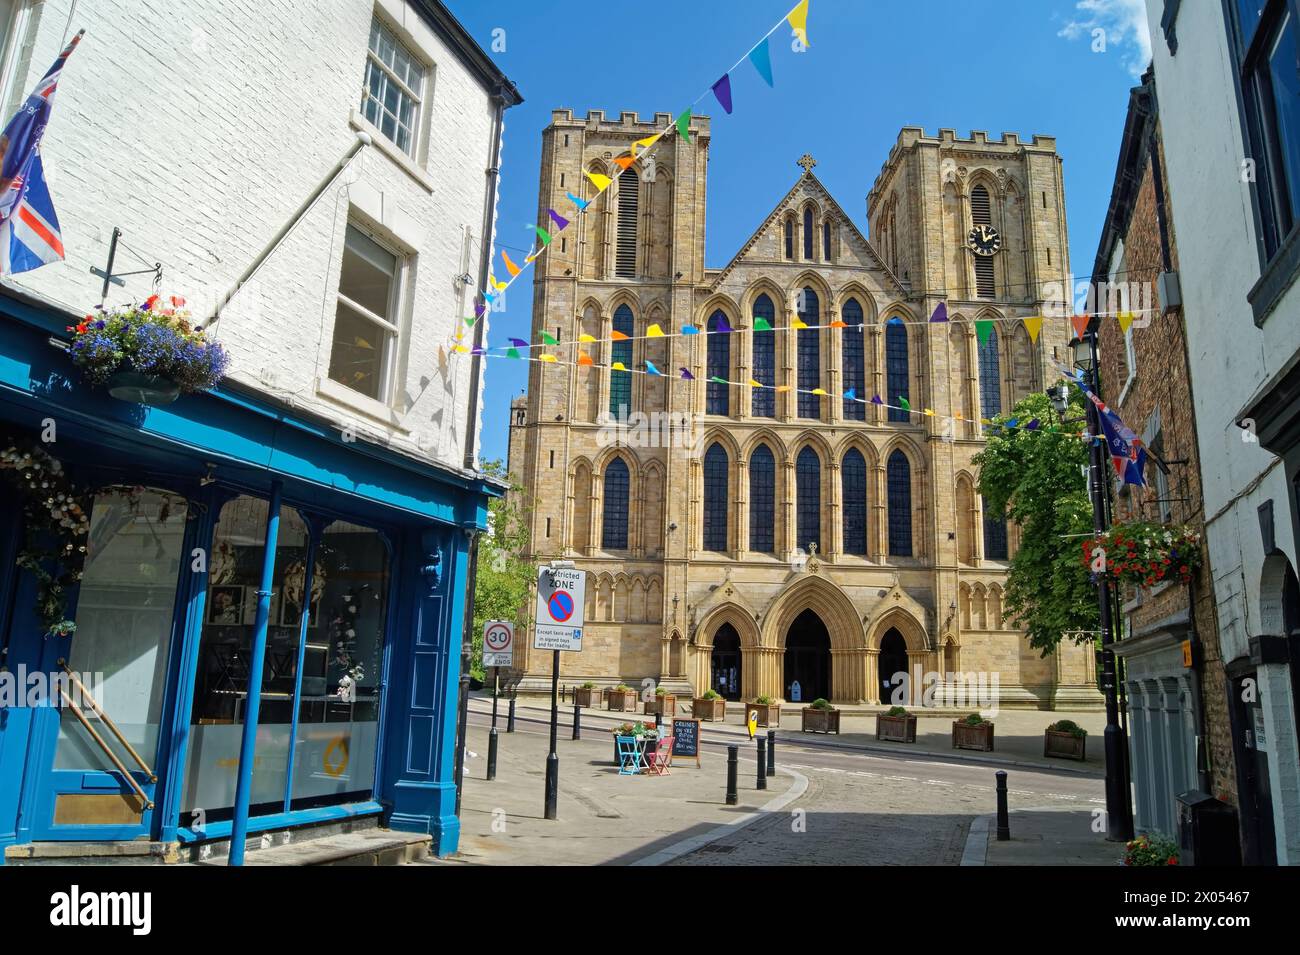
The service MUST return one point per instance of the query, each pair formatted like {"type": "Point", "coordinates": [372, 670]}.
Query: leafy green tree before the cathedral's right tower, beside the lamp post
{"type": "Point", "coordinates": [1038, 480]}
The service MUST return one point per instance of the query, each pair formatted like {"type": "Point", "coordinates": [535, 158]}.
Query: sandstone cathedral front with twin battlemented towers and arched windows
{"type": "Point", "coordinates": [766, 541]}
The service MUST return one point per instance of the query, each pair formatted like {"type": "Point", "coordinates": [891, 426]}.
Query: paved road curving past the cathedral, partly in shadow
{"type": "Point", "coordinates": [874, 810]}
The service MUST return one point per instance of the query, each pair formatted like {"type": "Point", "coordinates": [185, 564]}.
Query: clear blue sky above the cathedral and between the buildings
{"type": "Point", "coordinates": [873, 67]}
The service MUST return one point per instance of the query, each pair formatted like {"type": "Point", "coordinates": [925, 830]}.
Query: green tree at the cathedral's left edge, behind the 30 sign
{"type": "Point", "coordinates": [504, 579]}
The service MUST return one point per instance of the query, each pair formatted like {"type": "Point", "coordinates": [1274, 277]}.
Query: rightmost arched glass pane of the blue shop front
{"type": "Point", "coordinates": [339, 707]}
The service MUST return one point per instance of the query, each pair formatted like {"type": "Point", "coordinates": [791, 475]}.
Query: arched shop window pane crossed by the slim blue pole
{"type": "Point", "coordinates": [222, 683]}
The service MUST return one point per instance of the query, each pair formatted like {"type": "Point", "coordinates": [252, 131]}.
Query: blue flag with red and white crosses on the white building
{"type": "Point", "coordinates": [29, 228]}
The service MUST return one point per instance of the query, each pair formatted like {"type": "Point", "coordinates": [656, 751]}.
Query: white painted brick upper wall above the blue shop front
{"type": "Point", "coordinates": [198, 128]}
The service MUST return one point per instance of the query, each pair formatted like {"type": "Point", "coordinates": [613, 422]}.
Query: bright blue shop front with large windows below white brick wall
{"type": "Point", "coordinates": [192, 507]}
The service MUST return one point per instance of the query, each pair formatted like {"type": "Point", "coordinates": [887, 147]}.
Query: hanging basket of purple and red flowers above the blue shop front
{"type": "Point", "coordinates": [149, 354]}
